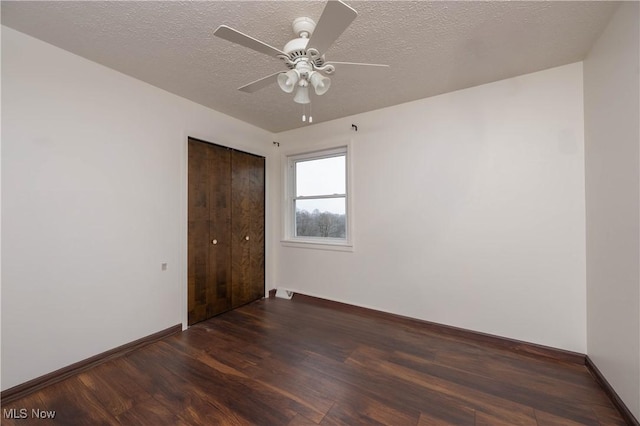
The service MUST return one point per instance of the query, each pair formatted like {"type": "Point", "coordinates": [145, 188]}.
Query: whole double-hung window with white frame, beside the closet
{"type": "Point", "coordinates": [317, 198]}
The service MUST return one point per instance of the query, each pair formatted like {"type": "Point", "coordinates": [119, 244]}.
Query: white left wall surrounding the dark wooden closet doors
{"type": "Point", "coordinates": [93, 201]}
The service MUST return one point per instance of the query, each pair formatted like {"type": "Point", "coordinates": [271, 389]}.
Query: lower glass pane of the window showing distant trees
{"type": "Point", "coordinates": [321, 218]}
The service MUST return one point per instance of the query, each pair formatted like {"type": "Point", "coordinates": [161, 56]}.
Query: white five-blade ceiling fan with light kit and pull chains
{"type": "Point", "coordinates": [304, 55]}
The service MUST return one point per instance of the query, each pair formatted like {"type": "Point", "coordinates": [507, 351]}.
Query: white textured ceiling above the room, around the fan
{"type": "Point", "coordinates": [432, 47]}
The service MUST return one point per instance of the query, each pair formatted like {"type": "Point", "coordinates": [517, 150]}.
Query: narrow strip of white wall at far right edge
{"type": "Point", "coordinates": [612, 150]}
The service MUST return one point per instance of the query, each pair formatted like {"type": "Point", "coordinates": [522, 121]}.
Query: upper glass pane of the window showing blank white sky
{"type": "Point", "coordinates": [325, 176]}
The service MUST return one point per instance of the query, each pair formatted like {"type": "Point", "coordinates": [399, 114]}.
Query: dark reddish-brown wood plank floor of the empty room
{"type": "Point", "coordinates": [279, 362]}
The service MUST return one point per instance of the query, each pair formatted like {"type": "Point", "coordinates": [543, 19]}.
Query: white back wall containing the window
{"type": "Point", "coordinates": [469, 211]}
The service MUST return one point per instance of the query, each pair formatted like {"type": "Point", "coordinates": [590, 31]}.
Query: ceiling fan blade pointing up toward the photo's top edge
{"type": "Point", "coordinates": [335, 18]}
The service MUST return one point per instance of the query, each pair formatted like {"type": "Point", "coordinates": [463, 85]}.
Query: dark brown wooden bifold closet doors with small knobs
{"type": "Point", "coordinates": [225, 230]}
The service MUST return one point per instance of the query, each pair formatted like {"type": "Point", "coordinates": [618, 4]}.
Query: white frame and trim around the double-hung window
{"type": "Point", "coordinates": [289, 217]}
